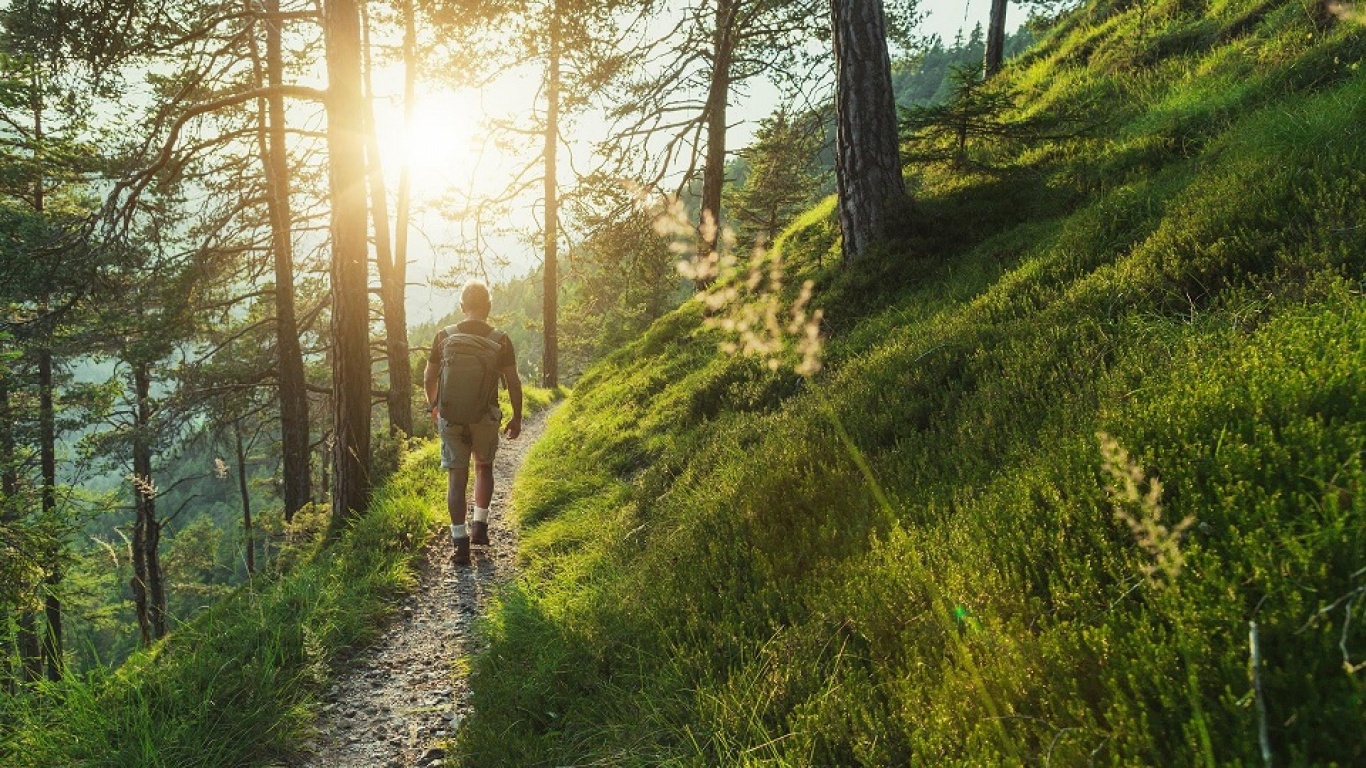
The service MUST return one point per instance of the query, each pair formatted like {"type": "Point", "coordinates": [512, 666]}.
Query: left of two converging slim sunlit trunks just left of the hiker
{"type": "Point", "coordinates": [391, 279]}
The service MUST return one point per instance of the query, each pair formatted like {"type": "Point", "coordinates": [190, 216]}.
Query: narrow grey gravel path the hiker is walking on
{"type": "Point", "coordinates": [406, 695]}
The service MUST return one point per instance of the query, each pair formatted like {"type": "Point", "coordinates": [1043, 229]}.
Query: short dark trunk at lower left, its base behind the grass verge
{"type": "Point", "coordinates": [148, 590]}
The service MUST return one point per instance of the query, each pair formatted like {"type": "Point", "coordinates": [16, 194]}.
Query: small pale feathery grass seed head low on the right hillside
{"type": "Point", "coordinates": [1143, 512]}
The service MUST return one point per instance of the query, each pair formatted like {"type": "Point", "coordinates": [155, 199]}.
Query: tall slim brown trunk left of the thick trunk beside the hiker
{"type": "Point", "coordinates": [293, 390]}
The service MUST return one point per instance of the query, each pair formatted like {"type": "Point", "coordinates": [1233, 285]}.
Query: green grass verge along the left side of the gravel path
{"type": "Point", "coordinates": [240, 684]}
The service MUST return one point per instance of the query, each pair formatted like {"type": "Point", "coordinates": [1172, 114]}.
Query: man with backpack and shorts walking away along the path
{"type": "Point", "coordinates": [476, 435]}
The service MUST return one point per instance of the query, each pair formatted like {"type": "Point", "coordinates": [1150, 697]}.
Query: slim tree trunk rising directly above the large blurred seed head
{"type": "Point", "coordinates": [718, 100]}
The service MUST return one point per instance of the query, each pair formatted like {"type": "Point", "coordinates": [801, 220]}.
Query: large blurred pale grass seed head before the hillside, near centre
{"type": "Point", "coordinates": [751, 311]}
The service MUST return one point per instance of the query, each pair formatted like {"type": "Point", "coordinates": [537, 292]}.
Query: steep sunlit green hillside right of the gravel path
{"type": "Point", "coordinates": [1089, 434]}
